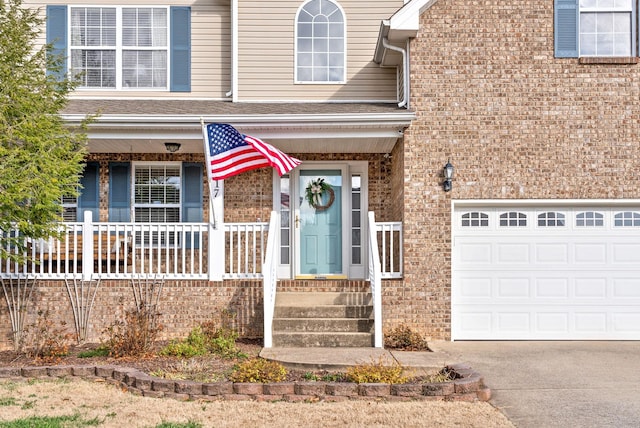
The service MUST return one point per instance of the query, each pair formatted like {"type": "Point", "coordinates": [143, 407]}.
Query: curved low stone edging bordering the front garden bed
{"type": "Point", "coordinates": [468, 386]}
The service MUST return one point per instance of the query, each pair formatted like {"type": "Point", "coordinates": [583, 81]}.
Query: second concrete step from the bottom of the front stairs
{"type": "Point", "coordinates": [342, 325]}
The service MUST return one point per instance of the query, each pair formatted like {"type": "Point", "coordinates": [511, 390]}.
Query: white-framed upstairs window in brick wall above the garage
{"type": "Point", "coordinates": [606, 27]}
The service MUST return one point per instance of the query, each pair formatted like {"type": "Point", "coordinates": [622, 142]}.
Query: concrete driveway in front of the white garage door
{"type": "Point", "coordinates": [557, 384]}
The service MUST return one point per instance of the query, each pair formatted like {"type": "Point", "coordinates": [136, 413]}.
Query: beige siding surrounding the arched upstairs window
{"type": "Point", "coordinates": [267, 54]}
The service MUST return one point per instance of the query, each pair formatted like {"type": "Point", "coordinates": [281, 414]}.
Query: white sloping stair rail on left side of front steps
{"type": "Point", "coordinates": [270, 280]}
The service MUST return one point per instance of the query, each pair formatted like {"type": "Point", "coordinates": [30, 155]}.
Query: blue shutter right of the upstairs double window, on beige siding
{"type": "Point", "coordinates": [180, 79]}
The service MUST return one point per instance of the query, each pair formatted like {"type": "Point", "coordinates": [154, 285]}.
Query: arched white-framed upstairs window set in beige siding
{"type": "Point", "coordinates": [320, 43]}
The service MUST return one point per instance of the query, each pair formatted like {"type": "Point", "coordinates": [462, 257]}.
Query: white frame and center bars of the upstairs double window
{"type": "Point", "coordinates": [119, 48]}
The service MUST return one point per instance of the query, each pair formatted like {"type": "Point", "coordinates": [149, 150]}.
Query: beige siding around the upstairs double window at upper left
{"type": "Point", "coordinates": [210, 49]}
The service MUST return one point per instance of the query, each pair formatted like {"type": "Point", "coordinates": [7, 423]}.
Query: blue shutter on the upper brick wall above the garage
{"type": "Point", "coordinates": [566, 15]}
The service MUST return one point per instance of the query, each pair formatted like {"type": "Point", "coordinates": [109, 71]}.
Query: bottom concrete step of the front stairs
{"type": "Point", "coordinates": [322, 340]}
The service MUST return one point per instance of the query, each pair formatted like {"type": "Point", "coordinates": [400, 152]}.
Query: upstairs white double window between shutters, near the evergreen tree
{"type": "Point", "coordinates": [119, 47]}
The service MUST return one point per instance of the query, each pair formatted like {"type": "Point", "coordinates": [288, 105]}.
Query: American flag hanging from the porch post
{"type": "Point", "coordinates": [230, 153]}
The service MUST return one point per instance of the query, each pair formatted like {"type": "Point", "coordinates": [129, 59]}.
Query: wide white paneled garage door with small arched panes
{"type": "Point", "coordinates": [546, 273]}
